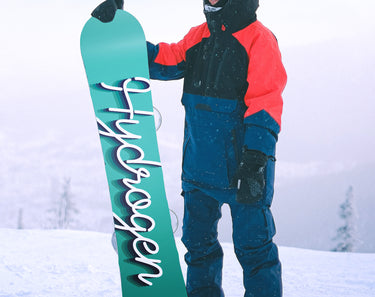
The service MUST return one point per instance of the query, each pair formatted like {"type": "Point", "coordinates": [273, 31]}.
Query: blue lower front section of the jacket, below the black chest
{"type": "Point", "coordinates": [210, 150]}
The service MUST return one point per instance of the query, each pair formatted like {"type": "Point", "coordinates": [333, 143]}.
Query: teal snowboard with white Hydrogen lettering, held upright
{"type": "Point", "coordinates": [115, 59]}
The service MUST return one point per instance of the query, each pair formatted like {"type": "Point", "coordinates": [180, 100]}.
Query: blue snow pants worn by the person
{"type": "Point", "coordinates": [253, 230]}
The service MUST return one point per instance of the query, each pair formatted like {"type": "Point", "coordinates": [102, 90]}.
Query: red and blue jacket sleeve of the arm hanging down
{"type": "Point", "coordinates": [266, 82]}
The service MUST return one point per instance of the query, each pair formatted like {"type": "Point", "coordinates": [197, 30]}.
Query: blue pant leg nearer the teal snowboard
{"type": "Point", "coordinates": [204, 255]}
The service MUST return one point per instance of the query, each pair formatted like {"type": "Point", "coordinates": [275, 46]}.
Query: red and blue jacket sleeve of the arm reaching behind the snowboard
{"type": "Point", "coordinates": [168, 61]}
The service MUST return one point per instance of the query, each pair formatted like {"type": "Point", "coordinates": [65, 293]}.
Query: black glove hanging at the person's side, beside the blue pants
{"type": "Point", "coordinates": [249, 178]}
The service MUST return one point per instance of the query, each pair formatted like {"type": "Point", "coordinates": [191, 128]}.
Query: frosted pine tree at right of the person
{"type": "Point", "coordinates": [346, 236]}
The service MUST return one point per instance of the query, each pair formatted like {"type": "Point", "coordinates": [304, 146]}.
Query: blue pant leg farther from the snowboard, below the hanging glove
{"type": "Point", "coordinates": [253, 230]}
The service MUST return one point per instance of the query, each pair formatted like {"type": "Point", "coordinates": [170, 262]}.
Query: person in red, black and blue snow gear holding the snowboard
{"type": "Point", "coordinates": [232, 94]}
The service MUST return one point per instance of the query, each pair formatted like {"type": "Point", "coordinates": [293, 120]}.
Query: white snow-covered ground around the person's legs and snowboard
{"type": "Point", "coordinates": [46, 263]}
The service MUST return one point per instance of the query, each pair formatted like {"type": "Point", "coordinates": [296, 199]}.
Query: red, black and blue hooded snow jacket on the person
{"type": "Point", "coordinates": [233, 81]}
